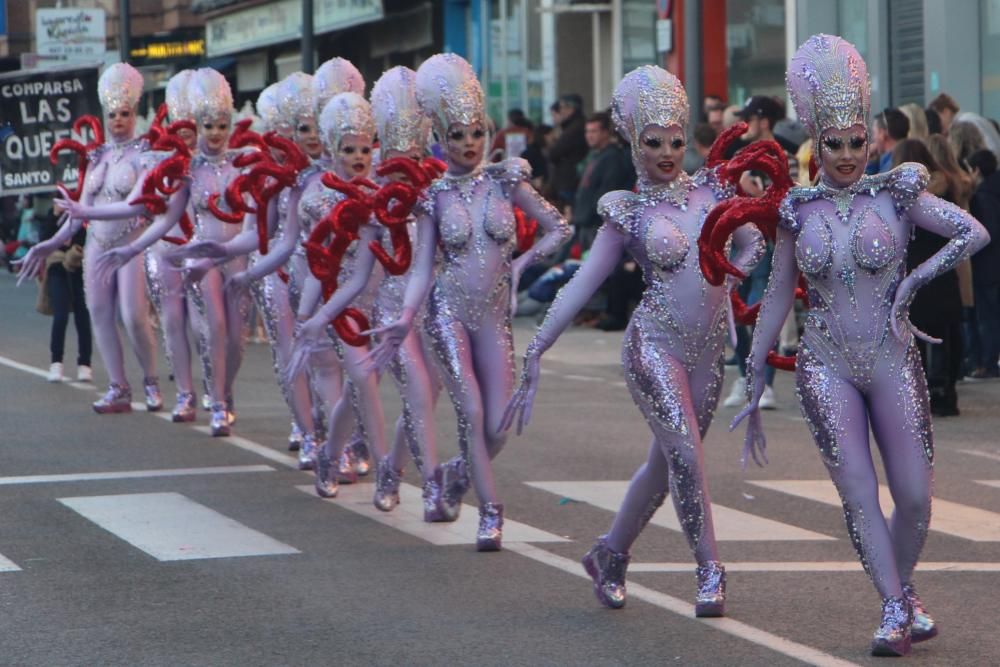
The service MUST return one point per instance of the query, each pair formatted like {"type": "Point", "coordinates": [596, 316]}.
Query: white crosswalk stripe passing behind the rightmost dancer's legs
{"type": "Point", "coordinates": [970, 523]}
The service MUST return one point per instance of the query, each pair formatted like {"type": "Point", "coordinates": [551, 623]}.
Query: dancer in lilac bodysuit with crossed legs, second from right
{"type": "Point", "coordinates": [673, 347]}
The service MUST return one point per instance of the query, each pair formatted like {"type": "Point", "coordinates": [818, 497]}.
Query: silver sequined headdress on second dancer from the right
{"type": "Point", "coordinates": [648, 95]}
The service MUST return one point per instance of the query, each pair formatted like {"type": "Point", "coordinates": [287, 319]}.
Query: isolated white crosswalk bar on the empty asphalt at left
{"type": "Point", "coordinates": [170, 526]}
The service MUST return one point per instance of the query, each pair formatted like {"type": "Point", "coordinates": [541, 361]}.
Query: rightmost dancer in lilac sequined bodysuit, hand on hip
{"type": "Point", "coordinates": [858, 364]}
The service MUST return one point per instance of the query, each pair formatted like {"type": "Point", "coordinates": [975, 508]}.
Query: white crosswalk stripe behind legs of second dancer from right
{"type": "Point", "coordinates": [730, 524]}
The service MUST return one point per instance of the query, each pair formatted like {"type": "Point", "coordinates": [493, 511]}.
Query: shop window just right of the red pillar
{"type": "Point", "coordinates": [755, 46]}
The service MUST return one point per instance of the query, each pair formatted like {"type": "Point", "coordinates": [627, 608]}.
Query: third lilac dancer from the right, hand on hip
{"type": "Point", "coordinates": [470, 213]}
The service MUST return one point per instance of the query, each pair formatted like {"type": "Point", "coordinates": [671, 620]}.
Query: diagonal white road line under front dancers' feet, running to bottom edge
{"type": "Point", "coordinates": [675, 605]}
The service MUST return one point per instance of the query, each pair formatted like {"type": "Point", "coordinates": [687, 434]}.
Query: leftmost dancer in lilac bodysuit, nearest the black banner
{"type": "Point", "coordinates": [114, 169]}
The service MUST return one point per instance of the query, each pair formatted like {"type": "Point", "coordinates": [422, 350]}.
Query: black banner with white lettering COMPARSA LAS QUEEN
{"type": "Point", "coordinates": [37, 109]}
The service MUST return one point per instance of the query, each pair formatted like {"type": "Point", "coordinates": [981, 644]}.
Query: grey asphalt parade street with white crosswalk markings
{"type": "Point", "coordinates": [127, 540]}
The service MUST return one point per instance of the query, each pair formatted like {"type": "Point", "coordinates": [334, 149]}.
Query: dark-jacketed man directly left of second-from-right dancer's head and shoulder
{"type": "Point", "coordinates": [607, 168]}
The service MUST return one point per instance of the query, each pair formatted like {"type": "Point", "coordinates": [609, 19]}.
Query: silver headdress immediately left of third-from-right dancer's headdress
{"type": "Point", "coordinates": [400, 123]}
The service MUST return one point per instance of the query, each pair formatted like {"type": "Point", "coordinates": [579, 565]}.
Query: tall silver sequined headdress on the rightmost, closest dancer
{"type": "Point", "coordinates": [828, 84]}
